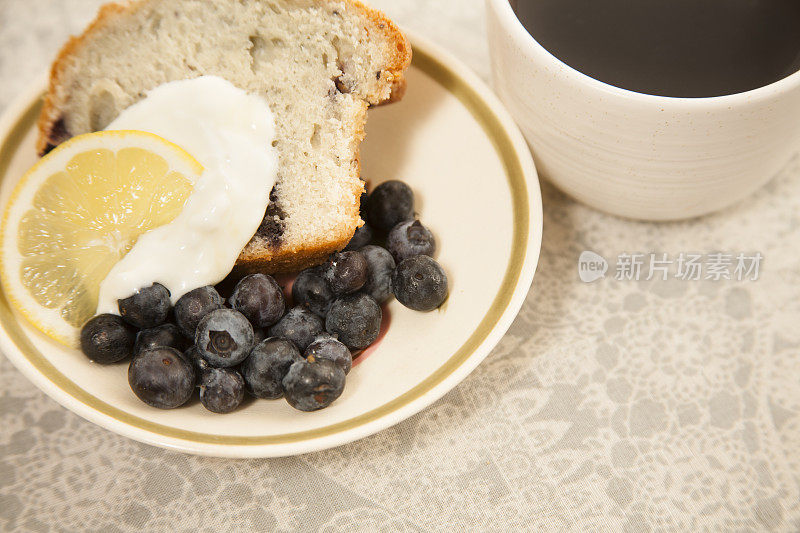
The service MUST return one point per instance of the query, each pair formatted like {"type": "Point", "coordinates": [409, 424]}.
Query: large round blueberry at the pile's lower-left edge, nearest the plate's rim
{"type": "Point", "coordinates": [161, 377]}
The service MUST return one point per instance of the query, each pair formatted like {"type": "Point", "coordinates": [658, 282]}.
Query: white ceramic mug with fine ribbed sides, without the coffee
{"type": "Point", "coordinates": [638, 155]}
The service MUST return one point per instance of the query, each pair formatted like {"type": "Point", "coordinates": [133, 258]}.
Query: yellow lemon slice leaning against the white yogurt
{"type": "Point", "coordinates": [77, 212]}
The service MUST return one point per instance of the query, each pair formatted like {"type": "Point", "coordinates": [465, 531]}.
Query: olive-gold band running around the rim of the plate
{"type": "Point", "coordinates": [521, 217]}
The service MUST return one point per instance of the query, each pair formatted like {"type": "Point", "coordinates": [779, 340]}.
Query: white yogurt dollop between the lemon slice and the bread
{"type": "Point", "coordinates": [230, 133]}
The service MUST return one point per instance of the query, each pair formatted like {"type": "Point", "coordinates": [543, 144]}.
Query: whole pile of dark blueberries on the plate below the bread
{"type": "Point", "coordinates": [250, 342]}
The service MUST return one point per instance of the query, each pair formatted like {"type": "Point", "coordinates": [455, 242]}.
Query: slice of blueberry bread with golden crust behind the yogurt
{"type": "Point", "coordinates": [319, 63]}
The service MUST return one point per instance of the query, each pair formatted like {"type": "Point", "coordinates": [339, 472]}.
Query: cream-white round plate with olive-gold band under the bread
{"type": "Point", "coordinates": [476, 188]}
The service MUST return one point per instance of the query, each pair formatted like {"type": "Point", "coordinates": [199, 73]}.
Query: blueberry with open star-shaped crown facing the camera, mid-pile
{"type": "Point", "coordinates": [224, 338]}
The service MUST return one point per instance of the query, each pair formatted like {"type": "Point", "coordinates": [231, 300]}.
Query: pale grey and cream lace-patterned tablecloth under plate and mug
{"type": "Point", "coordinates": [618, 405]}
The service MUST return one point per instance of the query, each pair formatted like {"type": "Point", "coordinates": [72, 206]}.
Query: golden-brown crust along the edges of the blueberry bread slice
{"type": "Point", "coordinates": [281, 259]}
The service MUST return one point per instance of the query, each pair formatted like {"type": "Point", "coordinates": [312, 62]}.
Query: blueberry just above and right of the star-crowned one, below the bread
{"type": "Point", "coordinates": [260, 299]}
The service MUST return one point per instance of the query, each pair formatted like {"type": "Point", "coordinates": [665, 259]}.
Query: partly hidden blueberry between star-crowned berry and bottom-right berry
{"type": "Point", "coordinates": [267, 365]}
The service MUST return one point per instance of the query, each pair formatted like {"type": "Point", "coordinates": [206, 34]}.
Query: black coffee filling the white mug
{"type": "Point", "coordinates": [687, 48]}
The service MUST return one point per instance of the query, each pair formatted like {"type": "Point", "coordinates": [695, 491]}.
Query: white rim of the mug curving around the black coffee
{"type": "Point", "coordinates": [528, 43]}
